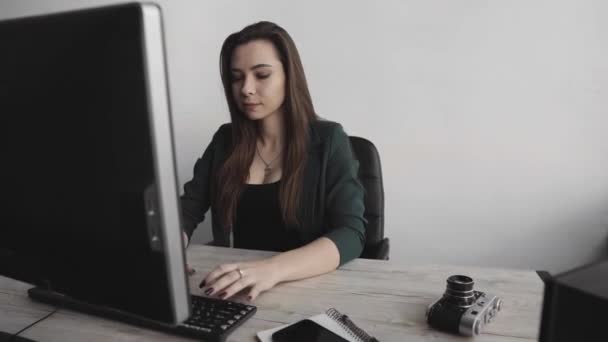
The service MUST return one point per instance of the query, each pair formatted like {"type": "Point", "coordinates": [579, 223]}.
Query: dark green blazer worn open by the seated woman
{"type": "Point", "coordinates": [332, 199]}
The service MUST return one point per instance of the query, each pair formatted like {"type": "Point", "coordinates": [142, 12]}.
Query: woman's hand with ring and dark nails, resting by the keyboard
{"type": "Point", "coordinates": [252, 278]}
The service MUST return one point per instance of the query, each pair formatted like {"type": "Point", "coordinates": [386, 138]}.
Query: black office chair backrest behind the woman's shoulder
{"type": "Point", "coordinates": [370, 175]}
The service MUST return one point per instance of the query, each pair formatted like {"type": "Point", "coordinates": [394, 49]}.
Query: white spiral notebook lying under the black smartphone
{"type": "Point", "coordinates": [333, 320]}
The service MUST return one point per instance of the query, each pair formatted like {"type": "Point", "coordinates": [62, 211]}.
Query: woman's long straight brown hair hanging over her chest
{"type": "Point", "coordinates": [298, 115]}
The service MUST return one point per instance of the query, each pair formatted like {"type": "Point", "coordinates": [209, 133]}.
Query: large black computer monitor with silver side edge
{"type": "Point", "coordinates": [88, 190]}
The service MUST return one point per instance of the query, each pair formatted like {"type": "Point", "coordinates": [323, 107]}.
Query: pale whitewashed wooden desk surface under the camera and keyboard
{"type": "Point", "coordinates": [385, 298]}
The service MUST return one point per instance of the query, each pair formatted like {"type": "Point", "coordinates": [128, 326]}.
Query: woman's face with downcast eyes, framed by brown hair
{"type": "Point", "coordinates": [258, 79]}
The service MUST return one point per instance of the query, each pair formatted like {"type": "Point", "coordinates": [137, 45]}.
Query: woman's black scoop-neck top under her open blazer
{"type": "Point", "coordinates": [259, 223]}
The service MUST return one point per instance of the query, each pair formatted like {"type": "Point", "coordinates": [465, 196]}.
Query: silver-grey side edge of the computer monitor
{"type": "Point", "coordinates": [155, 68]}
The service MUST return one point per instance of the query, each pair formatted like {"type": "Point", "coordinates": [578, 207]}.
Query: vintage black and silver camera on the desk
{"type": "Point", "coordinates": [461, 310]}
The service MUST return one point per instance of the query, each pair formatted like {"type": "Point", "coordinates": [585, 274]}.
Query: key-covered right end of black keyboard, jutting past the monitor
{"type": "Point", "coordinates": [214, 319]}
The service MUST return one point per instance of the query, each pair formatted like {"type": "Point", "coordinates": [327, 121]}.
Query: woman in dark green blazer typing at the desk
{"type": "Point", "coordinates": [276, 178]}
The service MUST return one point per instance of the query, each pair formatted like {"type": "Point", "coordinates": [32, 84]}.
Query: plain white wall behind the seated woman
{"type": "Point", "coordinates": [490, 116]}
